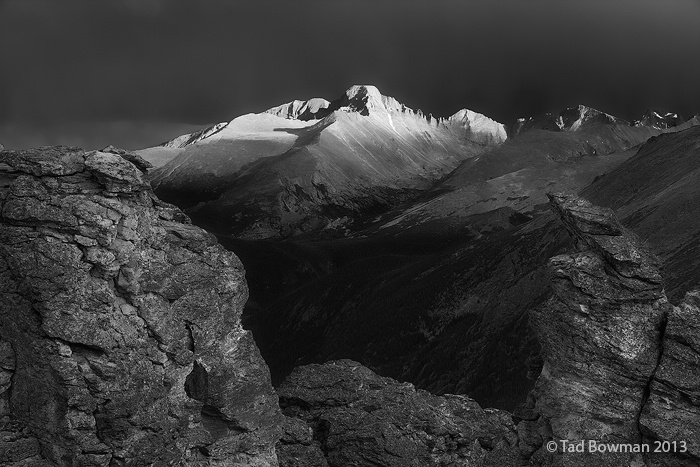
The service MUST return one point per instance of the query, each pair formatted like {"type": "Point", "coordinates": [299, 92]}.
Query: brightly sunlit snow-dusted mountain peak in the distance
{"type": "Point", "coordinates": [306, 166]}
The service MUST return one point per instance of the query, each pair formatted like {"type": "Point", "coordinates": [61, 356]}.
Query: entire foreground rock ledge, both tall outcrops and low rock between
{"type": "Point", "coordinates": [121, 344]}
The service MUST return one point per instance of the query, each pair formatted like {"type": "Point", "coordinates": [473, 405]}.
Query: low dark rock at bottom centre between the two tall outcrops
{"type": "Point", "coordinates": [359, 418]}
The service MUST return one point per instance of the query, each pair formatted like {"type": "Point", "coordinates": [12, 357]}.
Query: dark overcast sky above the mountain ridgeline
{"type": "Point", "coordinates": [135, 73]}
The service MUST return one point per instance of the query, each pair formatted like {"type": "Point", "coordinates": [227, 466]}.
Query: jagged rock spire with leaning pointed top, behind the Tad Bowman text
{"type": "Point", "coordinates": [602, 334]}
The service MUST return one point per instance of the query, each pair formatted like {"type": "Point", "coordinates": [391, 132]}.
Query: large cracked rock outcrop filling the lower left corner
{"type": "Point", "coordinates": [120, 338]}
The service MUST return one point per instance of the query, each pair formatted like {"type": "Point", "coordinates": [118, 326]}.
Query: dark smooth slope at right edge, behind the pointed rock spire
{"type": "Point", "coordinates": [656, 193]}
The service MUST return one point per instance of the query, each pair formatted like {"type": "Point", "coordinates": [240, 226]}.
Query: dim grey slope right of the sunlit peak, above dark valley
{"type": "Point", "coordinates": [517, 174]}
